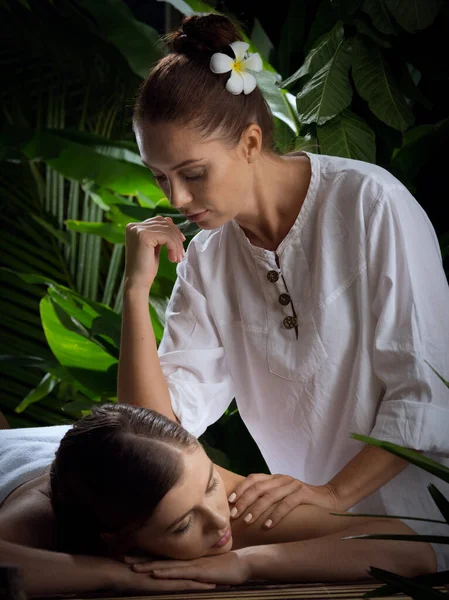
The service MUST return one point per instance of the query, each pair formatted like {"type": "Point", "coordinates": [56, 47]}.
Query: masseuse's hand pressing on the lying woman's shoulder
{"type": "Point", "coordinates": [259, 492]}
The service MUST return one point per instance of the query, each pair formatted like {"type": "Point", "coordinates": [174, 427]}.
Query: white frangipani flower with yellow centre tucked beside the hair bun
{"type": "Point", "coordinates": [241, 80]}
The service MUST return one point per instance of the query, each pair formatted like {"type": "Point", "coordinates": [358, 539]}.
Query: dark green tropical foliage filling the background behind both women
{"type": "Point", "coordinates": [71, 176]}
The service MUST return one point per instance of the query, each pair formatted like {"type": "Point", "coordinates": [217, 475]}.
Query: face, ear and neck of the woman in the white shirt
{"type": "Point", "coordinates": [240, 182]}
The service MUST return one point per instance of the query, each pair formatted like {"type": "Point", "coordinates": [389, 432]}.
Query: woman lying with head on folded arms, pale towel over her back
{"type": "Point", "coordinates": [128, 482]}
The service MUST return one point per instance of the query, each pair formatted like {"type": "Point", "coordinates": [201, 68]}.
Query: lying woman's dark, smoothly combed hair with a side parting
{"type": "Point", "coordinates": [111, 470]}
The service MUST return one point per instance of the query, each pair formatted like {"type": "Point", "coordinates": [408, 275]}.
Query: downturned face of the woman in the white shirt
{"type": "Point", "coordinates": [203, 177]}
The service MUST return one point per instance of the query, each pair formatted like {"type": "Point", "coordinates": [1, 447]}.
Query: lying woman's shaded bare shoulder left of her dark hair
{"type": "Point", "coordinates": [27, 517]}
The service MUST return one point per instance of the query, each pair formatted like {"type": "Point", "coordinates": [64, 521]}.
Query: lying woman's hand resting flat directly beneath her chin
{"type": "Point", "coordinates": [226, 569]}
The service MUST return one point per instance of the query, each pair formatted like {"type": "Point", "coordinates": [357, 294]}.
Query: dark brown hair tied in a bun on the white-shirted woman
{"type": "Point", "coordinates": [182, 88]}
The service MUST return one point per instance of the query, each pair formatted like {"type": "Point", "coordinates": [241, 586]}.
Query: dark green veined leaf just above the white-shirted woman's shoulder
{"type": "Point", "coordinates": [349, 136]}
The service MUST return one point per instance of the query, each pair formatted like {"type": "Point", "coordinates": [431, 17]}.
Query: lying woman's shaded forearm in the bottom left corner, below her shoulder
{"type": "Point", "coordinates": [47, 572]}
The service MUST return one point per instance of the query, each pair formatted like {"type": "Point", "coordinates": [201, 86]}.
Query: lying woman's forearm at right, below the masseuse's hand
{"type": "Point", "coordinates": [330, 558]}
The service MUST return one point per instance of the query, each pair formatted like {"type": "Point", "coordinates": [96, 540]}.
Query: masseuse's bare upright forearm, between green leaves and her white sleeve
{"type": "Point", "coordinates": [140, 378]}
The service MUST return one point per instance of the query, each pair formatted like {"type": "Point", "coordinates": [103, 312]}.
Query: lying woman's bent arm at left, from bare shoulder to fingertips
{"type": "Point", "coordinates": [27, 533]}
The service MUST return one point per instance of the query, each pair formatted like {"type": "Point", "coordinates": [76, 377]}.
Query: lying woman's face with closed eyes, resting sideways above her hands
{"type": "Point", "coordinates": [192, 519]}
